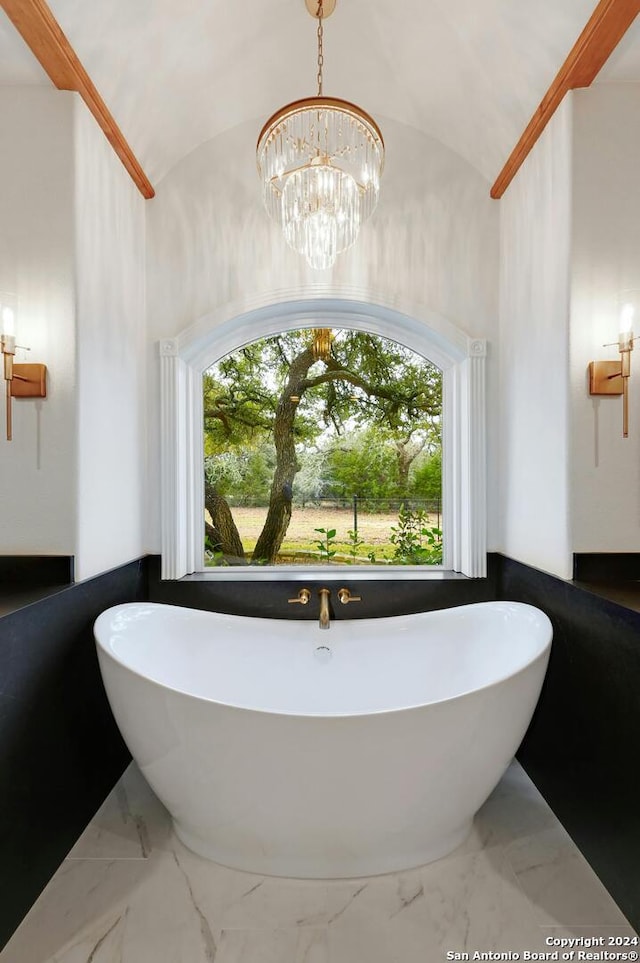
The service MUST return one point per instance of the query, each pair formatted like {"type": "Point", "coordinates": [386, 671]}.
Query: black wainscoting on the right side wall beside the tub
{"type": "Point", "coordinates": [582, 747]}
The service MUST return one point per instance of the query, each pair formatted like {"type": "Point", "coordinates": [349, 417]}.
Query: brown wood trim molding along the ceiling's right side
{"type": "Point", "coordinates": [607, 25]}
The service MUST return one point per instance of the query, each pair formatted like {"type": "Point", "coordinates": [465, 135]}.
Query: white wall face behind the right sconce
{"type": "Point", "coordinates": [605, 482]}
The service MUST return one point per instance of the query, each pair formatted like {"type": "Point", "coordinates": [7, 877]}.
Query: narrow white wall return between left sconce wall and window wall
{"type": "Point", "coordinates": [111, 352]}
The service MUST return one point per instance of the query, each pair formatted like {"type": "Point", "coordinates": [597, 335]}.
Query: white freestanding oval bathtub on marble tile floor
{"type": "Point", "coordinates": [285, 750]}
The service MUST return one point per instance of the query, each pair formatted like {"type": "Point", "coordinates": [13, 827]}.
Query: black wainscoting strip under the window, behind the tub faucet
{"type": "Point", "coordinates": [267, 599]}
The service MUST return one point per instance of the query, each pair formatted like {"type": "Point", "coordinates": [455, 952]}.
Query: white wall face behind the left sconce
{"type": "Point", "coordinates": [37, 468]}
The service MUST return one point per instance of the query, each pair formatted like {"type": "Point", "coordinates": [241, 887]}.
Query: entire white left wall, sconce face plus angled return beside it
{"type": "Point", "coordinates": [72, 248]}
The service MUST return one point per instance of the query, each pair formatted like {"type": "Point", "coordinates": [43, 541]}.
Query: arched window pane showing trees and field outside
{"type": "Point", "coordinates": [323, 445]}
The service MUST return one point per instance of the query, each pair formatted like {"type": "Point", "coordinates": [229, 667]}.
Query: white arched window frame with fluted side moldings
{"type": "Point", "coordinates": [462, 360]}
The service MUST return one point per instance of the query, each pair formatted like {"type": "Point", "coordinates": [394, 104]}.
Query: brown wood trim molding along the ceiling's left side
{"type": "Point", "coordinates": [42, 33]}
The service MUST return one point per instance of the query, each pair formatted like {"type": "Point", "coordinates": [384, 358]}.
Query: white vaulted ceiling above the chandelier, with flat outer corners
{"type": "Point", "coordinates": [175, 74]}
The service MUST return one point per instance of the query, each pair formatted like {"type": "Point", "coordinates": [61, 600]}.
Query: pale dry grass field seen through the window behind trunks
{"type": "Point", "coordinates": [374, 529]}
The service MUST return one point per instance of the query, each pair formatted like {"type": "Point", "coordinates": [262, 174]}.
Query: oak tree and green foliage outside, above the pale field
{"type": "Point", "coordinates": [280, 423]}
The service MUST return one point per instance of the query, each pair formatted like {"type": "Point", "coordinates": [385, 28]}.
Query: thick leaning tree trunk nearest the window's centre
{"type": "Point", "coordinates": [279, 512]}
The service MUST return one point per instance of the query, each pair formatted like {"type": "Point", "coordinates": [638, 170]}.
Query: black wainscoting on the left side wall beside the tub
{"type": "Point", "coordinates": [60, 751]}
